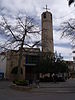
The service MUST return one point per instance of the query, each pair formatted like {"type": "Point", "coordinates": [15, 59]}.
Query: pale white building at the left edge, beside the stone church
{"type": "Point", "coordinates": [3, 64]}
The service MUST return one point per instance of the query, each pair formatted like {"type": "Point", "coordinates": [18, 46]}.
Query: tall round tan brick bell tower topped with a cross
{"type": "Point", "coordinates": [47, 31]}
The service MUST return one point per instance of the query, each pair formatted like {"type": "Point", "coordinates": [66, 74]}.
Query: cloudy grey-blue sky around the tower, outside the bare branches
{"type": "Point", "coordinates": [60, 11]}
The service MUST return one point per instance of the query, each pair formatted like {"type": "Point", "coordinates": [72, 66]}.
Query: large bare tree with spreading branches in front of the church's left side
{"type": "Point", "coordinates": [18, 33]}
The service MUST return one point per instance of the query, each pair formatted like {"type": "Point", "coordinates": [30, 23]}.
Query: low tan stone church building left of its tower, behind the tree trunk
{"type": "Point", "coordinates": [29, 61]}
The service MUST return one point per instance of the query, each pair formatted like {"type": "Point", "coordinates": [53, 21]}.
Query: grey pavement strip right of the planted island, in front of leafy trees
{"type": "Point", "coordinates": [59, 87]}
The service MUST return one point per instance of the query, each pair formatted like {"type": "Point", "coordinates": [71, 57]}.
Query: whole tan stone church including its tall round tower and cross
{"type": "Point", "coordinates": [31, 57]}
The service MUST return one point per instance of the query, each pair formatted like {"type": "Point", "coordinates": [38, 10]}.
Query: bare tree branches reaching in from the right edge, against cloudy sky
{"type": "Point", "coordinates": [68, 29]}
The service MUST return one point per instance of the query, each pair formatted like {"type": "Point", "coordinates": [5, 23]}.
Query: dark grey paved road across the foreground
{"type": "Point", "coordinates": [6, 93]}
